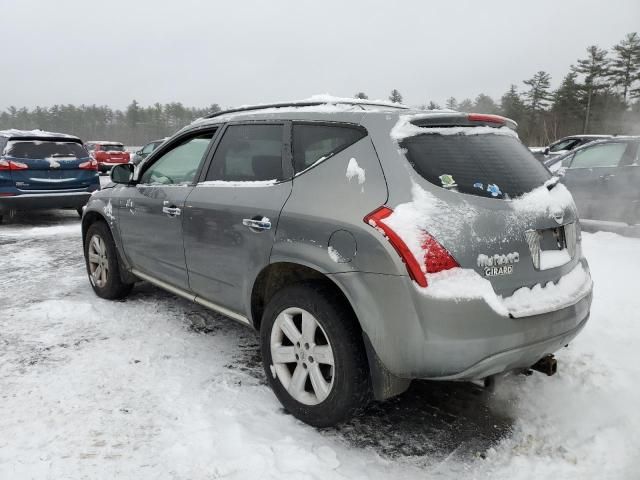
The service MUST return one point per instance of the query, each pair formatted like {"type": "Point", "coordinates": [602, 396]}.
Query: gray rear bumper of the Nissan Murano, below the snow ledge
{"type": "Point", "coordinates": [418, 337]}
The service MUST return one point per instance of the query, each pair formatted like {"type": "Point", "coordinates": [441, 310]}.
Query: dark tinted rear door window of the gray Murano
{"type": "Point", "coordinates": [248, 153]}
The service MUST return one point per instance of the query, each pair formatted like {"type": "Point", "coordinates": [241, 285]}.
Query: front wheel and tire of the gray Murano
{"type": "Point", "coordinates": [103, 267]}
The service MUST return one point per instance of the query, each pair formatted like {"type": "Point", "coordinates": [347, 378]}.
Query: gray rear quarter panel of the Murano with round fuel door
{"type": "Point", "coordinates": [326, 208]}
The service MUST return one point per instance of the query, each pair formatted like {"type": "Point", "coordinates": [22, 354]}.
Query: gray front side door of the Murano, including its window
{"type": "Point", "coordinates": [151, 212]}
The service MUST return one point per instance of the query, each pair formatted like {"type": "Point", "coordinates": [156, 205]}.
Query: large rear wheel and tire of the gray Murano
{"type": "Point", "coordinates": [313, 354]}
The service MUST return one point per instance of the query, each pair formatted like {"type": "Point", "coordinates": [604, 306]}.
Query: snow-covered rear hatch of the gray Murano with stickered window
{"type": "Point", "coordinates": [481, 195]}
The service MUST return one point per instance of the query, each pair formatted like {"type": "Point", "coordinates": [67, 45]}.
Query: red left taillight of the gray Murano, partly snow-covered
{"type": "Point", "coordinates": [435, 258]}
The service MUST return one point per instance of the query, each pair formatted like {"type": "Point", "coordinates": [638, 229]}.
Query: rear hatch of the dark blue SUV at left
{"type": "Point", "coordinates": [39, 164]}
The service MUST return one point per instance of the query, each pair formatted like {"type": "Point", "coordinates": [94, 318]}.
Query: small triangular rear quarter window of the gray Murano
{"type": "Point", "coordinates": [312, 143]}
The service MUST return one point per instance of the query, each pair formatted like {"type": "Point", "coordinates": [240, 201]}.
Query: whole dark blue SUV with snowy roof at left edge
{"type": "Point", "coordinates": [44, 170]}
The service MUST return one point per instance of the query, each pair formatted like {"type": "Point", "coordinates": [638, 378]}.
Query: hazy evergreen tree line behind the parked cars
{"type": "Point", "coordinates": [599, 94]}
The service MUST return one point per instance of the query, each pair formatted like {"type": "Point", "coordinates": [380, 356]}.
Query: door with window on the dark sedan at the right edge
{"type": "Point", "coordinates": [592, 176]}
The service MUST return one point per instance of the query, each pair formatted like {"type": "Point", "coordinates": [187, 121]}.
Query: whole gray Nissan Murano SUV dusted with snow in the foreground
{"type": "Point", "coordinates": [369, 244]}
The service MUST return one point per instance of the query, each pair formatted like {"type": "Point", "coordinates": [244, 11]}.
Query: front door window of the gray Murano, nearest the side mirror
{"type": "Point", "coordinates": [180, 164]}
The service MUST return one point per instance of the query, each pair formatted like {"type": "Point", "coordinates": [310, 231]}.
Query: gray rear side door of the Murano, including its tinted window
{"type": "Point", "coordinates": [231, 217]}
